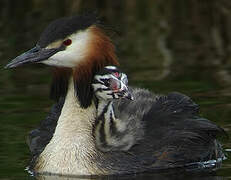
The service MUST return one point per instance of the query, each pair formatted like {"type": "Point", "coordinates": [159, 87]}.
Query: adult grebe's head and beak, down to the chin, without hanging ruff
{"type": "Point", "coordinates": [68, 42]}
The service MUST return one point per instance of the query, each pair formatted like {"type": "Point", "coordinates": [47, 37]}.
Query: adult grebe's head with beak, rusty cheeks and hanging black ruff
{"type": "Point", "coordinates": [76, 46]}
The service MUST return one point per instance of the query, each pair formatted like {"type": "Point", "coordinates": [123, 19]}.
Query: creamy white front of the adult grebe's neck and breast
{"type": "Point", "coordinates": [71, 149]}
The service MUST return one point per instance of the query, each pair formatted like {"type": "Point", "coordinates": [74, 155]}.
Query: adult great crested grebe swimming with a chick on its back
{"type": "Point", "coordinates": [165, 131]}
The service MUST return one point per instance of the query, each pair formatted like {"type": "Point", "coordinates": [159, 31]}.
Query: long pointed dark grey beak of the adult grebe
{"type": "Point", "coordinates": [34, 55]}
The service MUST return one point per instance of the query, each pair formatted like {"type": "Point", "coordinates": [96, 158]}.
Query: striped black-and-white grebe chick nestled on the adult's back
{"type": "Point", "coordinates": [109, 131]}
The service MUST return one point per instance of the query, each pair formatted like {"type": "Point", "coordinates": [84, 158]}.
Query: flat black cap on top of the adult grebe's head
{"type": "Point", "coordinates": [61, 28]}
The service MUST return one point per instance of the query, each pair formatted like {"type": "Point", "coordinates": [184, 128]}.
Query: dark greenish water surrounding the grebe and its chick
{"type": "Point", "coordinates": [163, 45]}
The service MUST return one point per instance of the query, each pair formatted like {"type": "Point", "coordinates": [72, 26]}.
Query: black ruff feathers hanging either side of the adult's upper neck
{"type": "Point", "coordinates": [82, 83]}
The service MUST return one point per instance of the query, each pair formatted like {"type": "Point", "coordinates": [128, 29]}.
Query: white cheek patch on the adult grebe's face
{"type": "Point", "coordinates": [73, 54]}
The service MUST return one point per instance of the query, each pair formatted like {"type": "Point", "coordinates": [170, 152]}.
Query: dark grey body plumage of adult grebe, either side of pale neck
{"type": "Point", "coordinates": [170, 134]}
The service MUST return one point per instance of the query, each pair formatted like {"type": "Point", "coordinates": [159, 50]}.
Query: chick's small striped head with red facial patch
{"type": "Point", "coordinates": [110, 83]}
